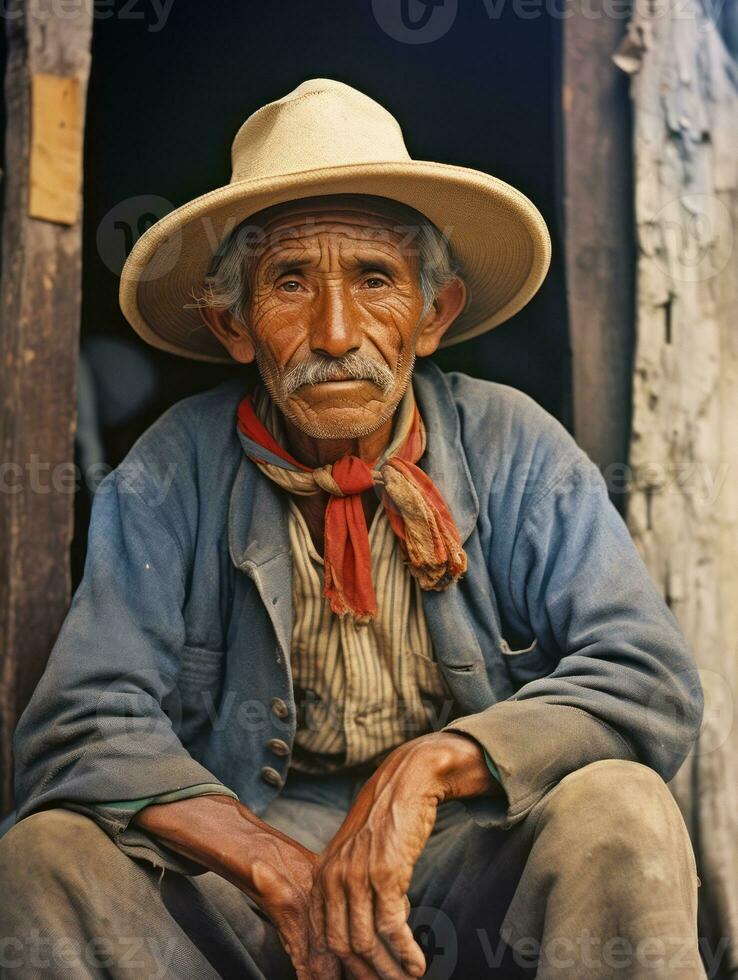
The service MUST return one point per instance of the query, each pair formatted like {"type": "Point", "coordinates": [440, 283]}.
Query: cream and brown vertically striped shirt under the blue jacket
{"type": "Point", "coordinates": [360, 690]}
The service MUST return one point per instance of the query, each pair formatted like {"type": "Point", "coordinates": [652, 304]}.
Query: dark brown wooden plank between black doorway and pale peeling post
{"type": "Point", "coordinates": [599, 248]}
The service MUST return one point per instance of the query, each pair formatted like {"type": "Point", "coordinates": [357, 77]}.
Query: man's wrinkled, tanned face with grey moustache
{"type": "Point", "coordinates": [336, 316]}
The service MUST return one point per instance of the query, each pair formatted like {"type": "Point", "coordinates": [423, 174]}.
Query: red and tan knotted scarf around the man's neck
{"type": "Point", "coordinates": [418, 515]}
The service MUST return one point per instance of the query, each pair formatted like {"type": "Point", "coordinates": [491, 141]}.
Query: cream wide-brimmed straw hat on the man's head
{"type": "Point", "coordinates": [327, 138]}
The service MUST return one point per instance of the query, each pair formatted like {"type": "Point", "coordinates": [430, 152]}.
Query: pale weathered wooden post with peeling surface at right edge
{"type": "Point", "coordinates": [683, 506]}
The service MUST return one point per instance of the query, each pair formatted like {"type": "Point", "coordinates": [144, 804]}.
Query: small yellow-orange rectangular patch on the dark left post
{"type": "Point", "coordinates": [56, 148]}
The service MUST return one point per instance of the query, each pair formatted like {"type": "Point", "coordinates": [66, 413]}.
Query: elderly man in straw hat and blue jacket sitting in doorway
{"type": "Point", "coordinates": [365, 676]}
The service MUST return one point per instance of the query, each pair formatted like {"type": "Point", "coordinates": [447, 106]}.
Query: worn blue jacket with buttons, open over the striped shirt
{"type": "Point", "coordinates": [172, 667]}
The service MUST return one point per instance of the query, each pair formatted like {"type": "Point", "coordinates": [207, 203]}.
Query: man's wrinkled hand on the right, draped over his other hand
{"type": "Point", "coordinates": [359, 905]}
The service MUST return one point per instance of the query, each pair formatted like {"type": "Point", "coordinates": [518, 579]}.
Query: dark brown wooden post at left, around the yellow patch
{"type": "Point", "coordinates": [39, 329]}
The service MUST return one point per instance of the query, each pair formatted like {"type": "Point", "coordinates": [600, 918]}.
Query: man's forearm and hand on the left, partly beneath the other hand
{"type": "Point", "coordinates": [275, 871]}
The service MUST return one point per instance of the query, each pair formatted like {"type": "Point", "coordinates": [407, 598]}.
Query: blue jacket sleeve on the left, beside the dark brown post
{"type": "Point", "coordinates": [97, 728]}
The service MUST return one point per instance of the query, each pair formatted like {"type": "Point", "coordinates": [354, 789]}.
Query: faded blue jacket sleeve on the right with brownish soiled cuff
{"type": "Point", "coordinates": [622, 683]}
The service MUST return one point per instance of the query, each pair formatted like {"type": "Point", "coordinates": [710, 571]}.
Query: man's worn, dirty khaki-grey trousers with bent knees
{"type": "Point", "coordinates": [598, 881]}
